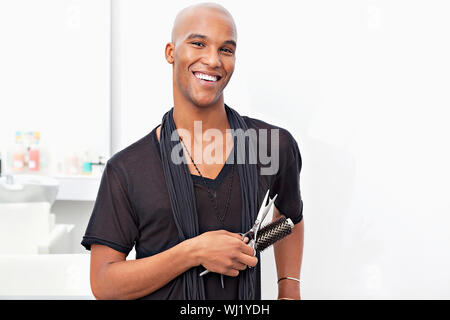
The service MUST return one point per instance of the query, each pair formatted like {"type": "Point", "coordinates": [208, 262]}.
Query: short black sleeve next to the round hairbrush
{"type": "Point", "coordinates": [287, 184]}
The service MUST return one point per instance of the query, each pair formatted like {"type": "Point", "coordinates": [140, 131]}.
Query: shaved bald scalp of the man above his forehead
{"type": "Point", "coordinates": [187, 15]}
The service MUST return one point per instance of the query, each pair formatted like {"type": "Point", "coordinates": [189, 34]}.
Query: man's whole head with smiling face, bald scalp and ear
{"type": "Point", "coordinates": [202, 52]}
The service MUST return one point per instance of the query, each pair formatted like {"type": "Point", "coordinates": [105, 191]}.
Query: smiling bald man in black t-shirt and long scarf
{"type": "Point", "coordinates": [137, 200]}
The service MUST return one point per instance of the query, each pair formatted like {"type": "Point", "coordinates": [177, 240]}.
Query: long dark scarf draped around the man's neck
{"type": "Point", "coordinates": [182, 198]}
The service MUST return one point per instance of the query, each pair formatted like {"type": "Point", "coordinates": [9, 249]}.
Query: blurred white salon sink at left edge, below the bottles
{"type": "Point", "coordinates": [28, 188]}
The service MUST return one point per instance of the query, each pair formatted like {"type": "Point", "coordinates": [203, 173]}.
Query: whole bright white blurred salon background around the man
{"type": "Point", "coordinates": [363, 86]}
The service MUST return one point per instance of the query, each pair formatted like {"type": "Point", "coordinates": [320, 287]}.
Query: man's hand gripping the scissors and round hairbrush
{"type": "Point", "coordinates": [224, 252]}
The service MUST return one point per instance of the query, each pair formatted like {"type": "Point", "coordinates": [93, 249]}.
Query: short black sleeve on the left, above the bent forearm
{"type": "Point", "coordinates": [112, 221]}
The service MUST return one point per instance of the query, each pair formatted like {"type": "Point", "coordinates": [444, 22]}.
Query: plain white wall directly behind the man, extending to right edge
{"type": "Point", "coordinates": [363, 87]}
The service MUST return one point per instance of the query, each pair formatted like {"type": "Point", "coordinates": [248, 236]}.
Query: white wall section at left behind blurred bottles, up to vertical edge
{"type": "Point", "coordinates": [55, 78]}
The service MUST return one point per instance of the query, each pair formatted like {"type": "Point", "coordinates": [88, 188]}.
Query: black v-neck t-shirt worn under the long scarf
{"type": "Point", "coordinates": [133, 209]}
